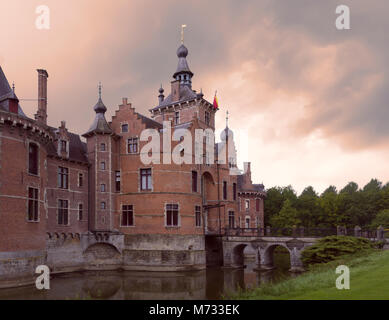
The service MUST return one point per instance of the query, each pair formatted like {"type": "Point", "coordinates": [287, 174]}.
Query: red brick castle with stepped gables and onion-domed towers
{"type": "Point", "coordinates": [90, 203]}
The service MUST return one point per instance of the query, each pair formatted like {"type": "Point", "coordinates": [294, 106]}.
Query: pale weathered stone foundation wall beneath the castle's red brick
{"type": "Point", "coordinates": [69, 253]}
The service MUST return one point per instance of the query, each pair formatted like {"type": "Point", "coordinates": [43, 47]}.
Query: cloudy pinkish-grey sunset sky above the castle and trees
{"type": "Point", "coordinates": [313, 99]}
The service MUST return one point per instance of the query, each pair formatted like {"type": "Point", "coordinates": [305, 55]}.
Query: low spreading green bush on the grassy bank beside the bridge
{"type": "Point", "coordinates": [330, 248]}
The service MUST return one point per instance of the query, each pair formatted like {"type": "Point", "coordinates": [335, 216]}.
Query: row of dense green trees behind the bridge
{"type": "Point", "coordinates": [367, 207]}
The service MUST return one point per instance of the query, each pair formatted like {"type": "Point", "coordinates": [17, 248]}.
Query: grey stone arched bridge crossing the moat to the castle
{"type": "Point", "coordinates": [233, 248]}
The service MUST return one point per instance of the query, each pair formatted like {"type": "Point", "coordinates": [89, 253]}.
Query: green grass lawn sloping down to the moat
{"type": "Point", "coordinates": [369, 279]}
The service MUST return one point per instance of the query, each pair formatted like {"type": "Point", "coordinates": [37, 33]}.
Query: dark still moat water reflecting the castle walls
{"type": "Point", "coordinates": [212, 283]}
